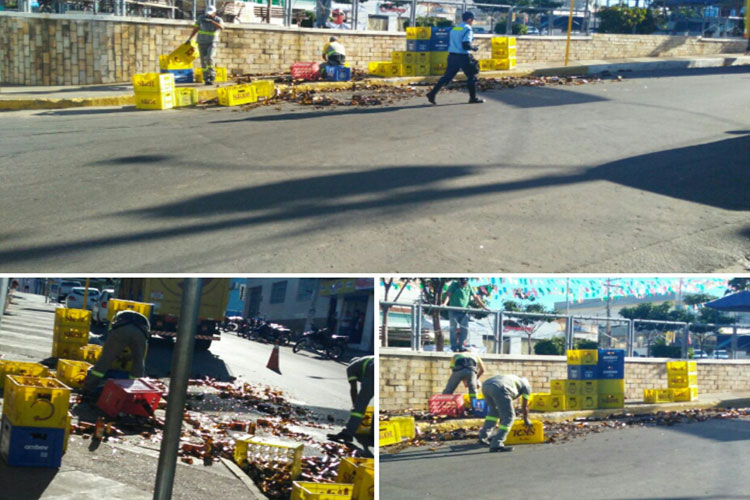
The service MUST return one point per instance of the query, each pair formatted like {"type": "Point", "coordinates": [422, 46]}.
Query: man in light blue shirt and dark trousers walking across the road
{"type": "Point", "coordinates": [459, 59]}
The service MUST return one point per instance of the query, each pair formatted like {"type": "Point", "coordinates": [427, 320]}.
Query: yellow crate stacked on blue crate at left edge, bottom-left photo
{"type": "Point", "coordinates": [35, 420]}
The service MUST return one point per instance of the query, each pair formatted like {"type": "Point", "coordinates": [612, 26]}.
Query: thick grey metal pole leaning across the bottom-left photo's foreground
{"type": "Point", "coordinates": [183, 357]}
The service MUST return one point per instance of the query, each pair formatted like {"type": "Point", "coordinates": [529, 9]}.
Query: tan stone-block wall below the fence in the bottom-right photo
{"type": "Point", "coordinates": [408, 379]}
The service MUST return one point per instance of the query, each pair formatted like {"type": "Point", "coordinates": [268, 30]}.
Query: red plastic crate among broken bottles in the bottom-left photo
{"type": "Point", "coordinates": [132, 397]}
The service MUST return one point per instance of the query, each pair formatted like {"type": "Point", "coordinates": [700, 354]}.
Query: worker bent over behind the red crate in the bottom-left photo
{"type": "Point", "coordinates": [128, 329]}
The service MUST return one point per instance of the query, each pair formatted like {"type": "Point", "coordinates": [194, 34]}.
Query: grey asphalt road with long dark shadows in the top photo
{"type": "Point", "coordinates": [648, 175]}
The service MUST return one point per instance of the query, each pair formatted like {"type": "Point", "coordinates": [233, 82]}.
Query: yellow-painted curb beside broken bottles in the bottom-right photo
{"type": "Point", "coordinates": [642, 408]}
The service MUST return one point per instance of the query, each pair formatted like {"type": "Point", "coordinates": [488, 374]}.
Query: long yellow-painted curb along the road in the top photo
{"type": "Point", "coordinates": [573, 70]}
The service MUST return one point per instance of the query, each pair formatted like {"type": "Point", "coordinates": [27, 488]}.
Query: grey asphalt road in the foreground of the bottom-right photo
{"type": "Point", "coordinates": [687, 461]}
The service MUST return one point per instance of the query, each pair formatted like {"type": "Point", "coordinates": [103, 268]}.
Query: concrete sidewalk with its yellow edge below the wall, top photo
{"type": "Point", "coordinates": [60, 97]}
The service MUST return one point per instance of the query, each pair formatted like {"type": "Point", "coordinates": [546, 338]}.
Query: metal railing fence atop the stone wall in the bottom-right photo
{"type": "Point", "coordinates": [497, 327]}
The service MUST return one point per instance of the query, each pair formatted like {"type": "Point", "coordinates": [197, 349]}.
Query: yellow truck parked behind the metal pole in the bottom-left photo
{"type": "Point", "coordinates": [165, 295]}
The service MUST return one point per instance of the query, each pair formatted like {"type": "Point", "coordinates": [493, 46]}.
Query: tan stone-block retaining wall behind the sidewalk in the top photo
{"type": "Point", "coordinates": [49, 49]}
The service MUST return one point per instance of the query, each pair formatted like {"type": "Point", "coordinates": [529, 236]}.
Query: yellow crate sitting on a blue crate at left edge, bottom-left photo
{"type": "Point", "coordinates": [36, 402]}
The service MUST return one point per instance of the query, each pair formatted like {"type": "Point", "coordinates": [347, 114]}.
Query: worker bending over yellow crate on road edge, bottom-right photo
{"type": "Point", "coordinates": [499, 392]}
